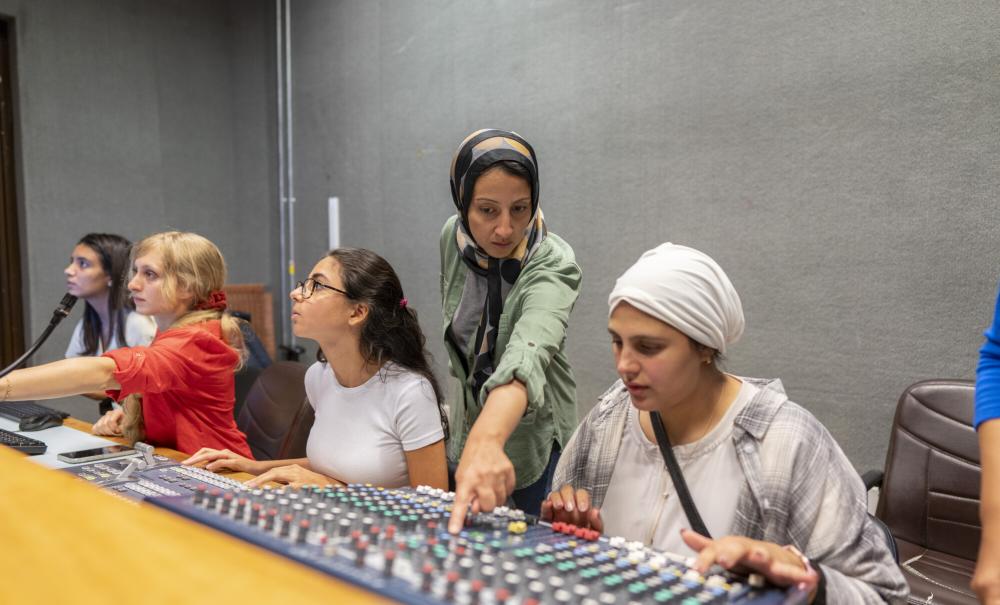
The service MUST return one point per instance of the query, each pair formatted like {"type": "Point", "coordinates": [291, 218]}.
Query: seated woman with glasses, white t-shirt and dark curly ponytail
{"type": "Point", "coordinates": [378, 407]}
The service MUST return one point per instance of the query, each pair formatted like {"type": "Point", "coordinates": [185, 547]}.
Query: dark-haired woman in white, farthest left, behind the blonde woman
{"type": "Point", "coordinates": [97, 274]}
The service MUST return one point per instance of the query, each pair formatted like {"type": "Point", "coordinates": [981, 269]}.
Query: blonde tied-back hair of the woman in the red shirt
{"type": "Point", "coordinates": [193, 263]}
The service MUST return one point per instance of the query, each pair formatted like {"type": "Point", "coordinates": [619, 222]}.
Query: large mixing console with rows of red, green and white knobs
{"type": "Point", "coordinates": [394, 542]}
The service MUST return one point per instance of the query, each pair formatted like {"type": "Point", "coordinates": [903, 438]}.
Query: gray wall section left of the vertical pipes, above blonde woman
{"type": "Point", "coordinates": [137, 117]}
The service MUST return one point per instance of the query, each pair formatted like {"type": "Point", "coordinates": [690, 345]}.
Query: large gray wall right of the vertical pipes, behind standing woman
{"type": "Point", "coordinates": [839, 159]}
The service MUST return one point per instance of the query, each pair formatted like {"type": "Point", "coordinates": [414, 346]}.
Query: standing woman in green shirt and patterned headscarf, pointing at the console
{"type": "Point", "coordinates": [507, 288]}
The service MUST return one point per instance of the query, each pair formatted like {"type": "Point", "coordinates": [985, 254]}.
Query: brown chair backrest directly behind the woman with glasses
{"type": "Point", "coordinates": [276, 416]}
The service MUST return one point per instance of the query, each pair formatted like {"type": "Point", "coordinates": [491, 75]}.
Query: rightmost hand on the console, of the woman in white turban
{"type": "Point", "coordinates": [780, 566]}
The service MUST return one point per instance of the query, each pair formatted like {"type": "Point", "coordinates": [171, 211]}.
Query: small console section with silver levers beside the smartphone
{"type": "Point", "coordinates": [148, 475]}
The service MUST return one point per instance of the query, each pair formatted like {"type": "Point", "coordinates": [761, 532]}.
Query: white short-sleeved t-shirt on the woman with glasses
{"type": "Point", "coordinates": [361, 433]}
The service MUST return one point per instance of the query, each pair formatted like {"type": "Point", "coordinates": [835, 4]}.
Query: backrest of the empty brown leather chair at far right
{"type": "Point", "coordinates": [930, 493]}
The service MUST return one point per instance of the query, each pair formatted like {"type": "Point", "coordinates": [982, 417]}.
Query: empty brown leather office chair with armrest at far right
{"type": "Point", "coordinates": [930, 491]}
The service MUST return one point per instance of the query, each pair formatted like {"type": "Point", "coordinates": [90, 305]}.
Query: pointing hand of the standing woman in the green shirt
{"type": "Point", "coordinates": [483, 480]}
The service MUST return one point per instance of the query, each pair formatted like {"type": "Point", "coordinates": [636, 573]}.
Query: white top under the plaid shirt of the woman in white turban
{"type": "Point", "coordinates": [711, 470]}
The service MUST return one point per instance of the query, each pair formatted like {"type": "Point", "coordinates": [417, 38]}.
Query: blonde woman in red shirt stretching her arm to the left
{"type": "Point", "coordinates": [178, 392]}
